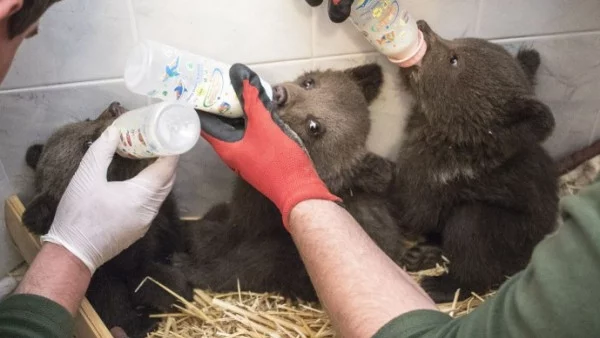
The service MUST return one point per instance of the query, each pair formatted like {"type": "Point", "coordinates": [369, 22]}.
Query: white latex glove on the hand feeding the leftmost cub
{"type": "Point", "coordinates": [97, 219]}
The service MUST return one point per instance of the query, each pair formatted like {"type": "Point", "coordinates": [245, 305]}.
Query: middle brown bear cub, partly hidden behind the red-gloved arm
{"type": "Point", "coordinates": [245, 240]}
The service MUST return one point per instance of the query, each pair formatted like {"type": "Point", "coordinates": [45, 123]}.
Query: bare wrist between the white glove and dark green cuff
{"type": "Point", "coordinates": [58, 275]}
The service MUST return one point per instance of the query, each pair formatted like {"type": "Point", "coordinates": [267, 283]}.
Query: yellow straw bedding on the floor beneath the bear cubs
{"type": "Point", "coordinates": [247, 314]}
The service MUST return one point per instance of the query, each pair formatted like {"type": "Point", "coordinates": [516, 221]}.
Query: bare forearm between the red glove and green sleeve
{"type": "Point", "coordinates": [335, 248]}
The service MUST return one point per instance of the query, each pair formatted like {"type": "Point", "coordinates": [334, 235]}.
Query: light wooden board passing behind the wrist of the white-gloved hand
{"type": "Point", "coordinates": [87, 323]}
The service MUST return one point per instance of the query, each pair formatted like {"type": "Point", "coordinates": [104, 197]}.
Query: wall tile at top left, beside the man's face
{"type": "Point", "coordinates": [78, 40]}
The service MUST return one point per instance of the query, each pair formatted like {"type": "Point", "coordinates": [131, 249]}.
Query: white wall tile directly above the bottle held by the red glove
{"type": "Point", "coordinates": [230, 31]}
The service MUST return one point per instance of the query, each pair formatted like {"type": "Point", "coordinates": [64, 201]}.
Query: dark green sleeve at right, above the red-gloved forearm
{"type": "Point", "coordinates": [557, 295]}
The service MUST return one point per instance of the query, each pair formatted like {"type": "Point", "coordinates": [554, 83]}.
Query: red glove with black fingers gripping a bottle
{"type": "Point", "coordinates": [262, 149]}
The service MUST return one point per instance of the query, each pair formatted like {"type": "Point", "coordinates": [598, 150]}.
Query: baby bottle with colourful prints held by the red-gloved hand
{"type": "Point", "coordinates": [164, 72]}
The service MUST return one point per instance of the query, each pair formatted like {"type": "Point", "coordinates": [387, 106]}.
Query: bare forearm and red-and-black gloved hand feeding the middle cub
{"type": "Point", "coordinates": [332, 244]}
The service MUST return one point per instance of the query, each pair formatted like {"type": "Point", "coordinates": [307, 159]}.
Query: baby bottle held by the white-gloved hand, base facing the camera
{"type": "Point", "coordinates": [166, 128]}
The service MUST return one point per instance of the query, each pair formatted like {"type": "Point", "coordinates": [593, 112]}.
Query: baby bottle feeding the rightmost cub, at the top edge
{"type": "Point", "coordinates": [391, 29]}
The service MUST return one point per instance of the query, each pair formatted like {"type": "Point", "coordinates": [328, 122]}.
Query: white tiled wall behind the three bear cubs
{"type": "Point", "coordinates": [72, 69]}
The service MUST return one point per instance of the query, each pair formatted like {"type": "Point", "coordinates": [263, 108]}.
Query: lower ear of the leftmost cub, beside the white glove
{"type": "Point", "coordinates": [39, 214]}
